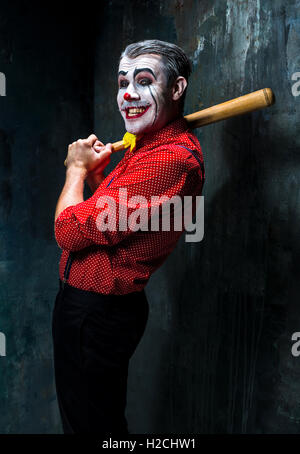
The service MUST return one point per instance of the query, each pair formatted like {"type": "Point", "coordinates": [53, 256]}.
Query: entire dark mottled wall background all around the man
{"type": "Point", "coordinates": [216, 354]}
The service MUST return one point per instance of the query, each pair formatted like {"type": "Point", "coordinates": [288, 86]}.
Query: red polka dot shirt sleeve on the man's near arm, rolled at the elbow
{"type": "Point", "coordinates": [113, 214]}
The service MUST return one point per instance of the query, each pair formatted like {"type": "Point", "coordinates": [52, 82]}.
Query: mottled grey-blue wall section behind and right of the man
{"type": "Point", "coordinates": [216, 355]}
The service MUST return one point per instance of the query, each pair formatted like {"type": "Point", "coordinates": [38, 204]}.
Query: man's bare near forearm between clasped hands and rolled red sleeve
{"type": "Point", "coordinates": [72, 192]}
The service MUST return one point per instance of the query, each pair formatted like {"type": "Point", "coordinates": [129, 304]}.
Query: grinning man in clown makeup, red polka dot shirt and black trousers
{"type": "Point", "coordinates": [101, 309]}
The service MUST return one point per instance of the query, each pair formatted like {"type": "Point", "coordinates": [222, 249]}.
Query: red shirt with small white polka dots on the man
{"type": "Point", "coordinates": [121, 258]}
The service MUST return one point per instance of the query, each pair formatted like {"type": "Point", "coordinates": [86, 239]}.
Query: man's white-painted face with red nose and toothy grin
{"type": "Point", "coordinates": [150, 105]}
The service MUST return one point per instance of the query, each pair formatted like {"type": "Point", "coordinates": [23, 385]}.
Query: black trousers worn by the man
{"type": "Point", "coordinates": [94, 337]}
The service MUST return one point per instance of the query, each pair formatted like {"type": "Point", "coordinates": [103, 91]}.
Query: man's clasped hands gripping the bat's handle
{"type": "Point", "coordinates": [88, 154]}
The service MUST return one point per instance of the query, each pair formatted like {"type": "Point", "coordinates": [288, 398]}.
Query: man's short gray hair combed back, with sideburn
{"type": "Point", "coordinates": [176, 62]}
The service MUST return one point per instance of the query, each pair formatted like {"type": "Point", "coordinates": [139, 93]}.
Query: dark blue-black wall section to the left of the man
{"type": "Point", "coordinates": [47, 62]}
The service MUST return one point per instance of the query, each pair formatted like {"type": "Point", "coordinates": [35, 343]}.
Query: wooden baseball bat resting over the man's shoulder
{"type": "Point", "coordinates": [243, 104]}
